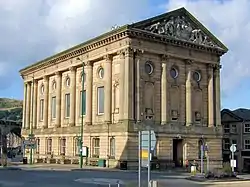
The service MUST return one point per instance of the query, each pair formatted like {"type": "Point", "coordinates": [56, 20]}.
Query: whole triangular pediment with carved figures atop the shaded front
{"type": "Point", "coordinates": [181, 25]}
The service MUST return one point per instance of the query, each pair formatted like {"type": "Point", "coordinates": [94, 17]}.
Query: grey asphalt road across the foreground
{"type": "Point", "coordinates": [85, 178]}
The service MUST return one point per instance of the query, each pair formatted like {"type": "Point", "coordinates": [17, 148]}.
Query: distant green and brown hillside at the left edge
{"type": "Point", "coordinates": [10, 109]}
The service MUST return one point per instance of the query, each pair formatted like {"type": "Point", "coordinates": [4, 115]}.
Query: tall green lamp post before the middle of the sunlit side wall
{"type": "Point", "coordinates": [81, 130]}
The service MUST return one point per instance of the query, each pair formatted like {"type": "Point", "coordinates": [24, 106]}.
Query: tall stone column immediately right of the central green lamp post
{"type": "Point", "coordinates": [89, 80]}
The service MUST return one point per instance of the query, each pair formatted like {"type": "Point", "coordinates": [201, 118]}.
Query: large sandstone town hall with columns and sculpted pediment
{"type": "Point", "coordinates": [165, 69]}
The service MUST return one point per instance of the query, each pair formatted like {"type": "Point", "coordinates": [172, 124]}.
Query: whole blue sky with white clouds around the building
{"type": "Point", "coordinates": [33, 30]}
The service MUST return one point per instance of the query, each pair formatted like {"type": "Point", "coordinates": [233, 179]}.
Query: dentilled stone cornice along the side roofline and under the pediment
{"type": "Point", "coordinates": [110, 37]}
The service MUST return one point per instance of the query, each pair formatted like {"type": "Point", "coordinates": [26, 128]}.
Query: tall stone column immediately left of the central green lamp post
{"type": "Point", "coordinates": [72, 95]}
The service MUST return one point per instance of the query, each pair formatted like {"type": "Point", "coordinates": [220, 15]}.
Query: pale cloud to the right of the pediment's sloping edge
{"type": "Point", "coordinates": [229, 20]}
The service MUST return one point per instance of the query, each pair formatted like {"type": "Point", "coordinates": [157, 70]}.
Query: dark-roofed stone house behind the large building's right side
{"type": "Point", "coordinates": [236, 130]}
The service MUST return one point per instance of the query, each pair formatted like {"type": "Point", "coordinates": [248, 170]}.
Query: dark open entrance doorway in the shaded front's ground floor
{"type": "Point", "coordinates": [178, 152]}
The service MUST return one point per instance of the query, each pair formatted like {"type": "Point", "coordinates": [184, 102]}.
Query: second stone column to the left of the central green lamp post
{"type": "Point", "coordinates": [58, 98]}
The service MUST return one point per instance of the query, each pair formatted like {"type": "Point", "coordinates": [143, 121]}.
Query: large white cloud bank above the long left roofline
{"type": "Point", "coordinates": [32, 30]}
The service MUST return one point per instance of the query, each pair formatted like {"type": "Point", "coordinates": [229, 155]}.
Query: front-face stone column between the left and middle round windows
{"type": "Point", "coordinates": [164, 103]}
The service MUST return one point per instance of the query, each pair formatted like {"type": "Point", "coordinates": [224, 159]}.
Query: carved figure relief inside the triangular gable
{"type": "Point", "coordinates": [179, 28]}
